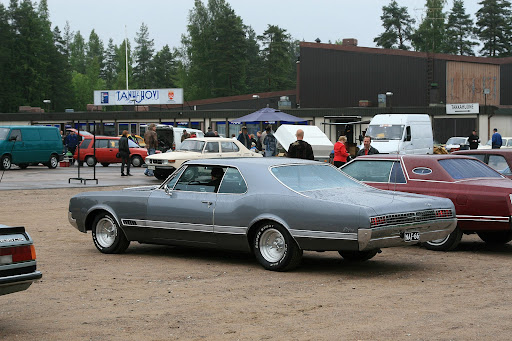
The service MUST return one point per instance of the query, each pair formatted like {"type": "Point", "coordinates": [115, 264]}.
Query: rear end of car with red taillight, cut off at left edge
{"type": "Point", "coordinates": [17, 260]}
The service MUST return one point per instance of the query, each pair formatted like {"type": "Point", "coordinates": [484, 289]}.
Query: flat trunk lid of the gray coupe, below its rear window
{"type": "Point", "coordinates": [381, 201]}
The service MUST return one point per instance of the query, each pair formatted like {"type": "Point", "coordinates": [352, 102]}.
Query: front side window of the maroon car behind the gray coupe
{"type": "Point", "coordinates": [371, 171]}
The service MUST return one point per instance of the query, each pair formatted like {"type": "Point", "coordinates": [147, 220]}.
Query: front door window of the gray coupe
{"type": "Point", "coordinates": [200, 179]}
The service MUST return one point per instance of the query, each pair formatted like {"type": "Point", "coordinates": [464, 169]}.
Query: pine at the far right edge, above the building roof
{"type": "Point", "coordinates": [494, 27]}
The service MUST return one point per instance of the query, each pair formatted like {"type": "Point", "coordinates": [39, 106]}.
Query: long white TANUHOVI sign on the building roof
{"type": "Point", "coordinates": [138, 97]}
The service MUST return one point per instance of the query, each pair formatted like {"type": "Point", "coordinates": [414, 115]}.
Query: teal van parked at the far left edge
{"type": "Point", "coordinates": [28, 145]}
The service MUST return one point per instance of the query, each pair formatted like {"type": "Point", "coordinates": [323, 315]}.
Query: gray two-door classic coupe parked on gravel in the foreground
{"type": "Point", "coordinates": [273, 207]}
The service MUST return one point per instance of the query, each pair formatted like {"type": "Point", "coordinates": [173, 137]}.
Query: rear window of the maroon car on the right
{"type": "Point", "coordinates": [467, 169]}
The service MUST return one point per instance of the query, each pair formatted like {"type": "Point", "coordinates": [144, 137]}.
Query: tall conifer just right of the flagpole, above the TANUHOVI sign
{"type": "Point", "coordinates": [143, 58]}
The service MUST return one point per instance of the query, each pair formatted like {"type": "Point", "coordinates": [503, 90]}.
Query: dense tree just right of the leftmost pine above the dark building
{"type": "Point", "coordinates": [430, 35]}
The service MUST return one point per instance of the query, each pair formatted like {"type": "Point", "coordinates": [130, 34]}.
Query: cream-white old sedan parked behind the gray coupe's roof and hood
{"type": "Point", "coordinates": [165, 164]}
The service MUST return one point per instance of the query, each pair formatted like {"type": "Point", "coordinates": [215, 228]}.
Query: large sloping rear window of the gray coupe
{"type": "Point", "coordinates": [303, 178]}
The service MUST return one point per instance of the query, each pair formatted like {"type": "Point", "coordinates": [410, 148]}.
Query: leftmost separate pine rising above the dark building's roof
{"type": "Point", "coordinates": [397, 27]}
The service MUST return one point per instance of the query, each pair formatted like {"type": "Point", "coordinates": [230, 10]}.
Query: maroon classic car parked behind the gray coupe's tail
{"type": "Point", "coordinates": [482, 196]}
